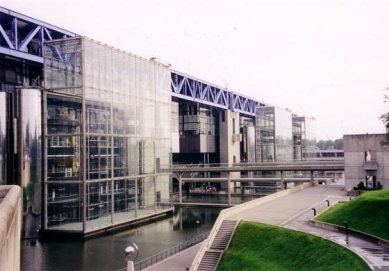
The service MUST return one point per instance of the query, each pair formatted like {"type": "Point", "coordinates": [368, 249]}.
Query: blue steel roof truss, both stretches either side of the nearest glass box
{"type": "Point", "coordinates": [23, 37]}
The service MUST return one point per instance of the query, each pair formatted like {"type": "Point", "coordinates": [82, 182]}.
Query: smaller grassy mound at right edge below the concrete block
{"type": "Point", "coordinates": [368, 213]}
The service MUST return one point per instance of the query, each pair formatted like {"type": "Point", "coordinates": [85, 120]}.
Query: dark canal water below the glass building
{"type": "Point", "coordinates": [107, 252]}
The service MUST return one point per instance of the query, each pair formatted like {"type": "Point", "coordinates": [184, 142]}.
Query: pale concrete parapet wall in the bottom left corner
{"type": "Point", "coordinates": [10, 227]}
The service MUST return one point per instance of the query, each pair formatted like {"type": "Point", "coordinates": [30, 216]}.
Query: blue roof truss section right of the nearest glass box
{"type": "Point", "coordinates": [192, 89]}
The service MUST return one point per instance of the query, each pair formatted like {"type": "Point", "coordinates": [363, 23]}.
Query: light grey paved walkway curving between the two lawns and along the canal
{"type": "Point", "coordinates": [294, 211]}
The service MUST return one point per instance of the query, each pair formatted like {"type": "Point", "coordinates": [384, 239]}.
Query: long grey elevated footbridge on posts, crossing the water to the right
{"type": "Point", "coordinates": [225, 170]}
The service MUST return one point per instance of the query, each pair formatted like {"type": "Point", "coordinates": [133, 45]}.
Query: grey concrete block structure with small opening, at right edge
{"type": "Point", "coordinates": [355, 147]}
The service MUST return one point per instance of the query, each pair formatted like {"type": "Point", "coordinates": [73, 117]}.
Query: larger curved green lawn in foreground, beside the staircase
{"type": "Point", "coordinates": [256, 246]}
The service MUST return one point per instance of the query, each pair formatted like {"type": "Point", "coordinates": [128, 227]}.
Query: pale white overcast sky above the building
{"type": "Point", "coordinates": [323, 59]}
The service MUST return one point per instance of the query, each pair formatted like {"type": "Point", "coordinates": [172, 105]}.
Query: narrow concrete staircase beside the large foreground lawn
{"type": "Point", "coordinates": [223, 237]}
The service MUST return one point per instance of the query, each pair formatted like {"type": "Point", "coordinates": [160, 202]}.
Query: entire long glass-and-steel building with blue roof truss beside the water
{"type": "Point", "coordinates": [91, 139]}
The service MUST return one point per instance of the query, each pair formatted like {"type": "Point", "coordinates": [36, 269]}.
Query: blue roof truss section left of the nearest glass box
{"type": "Point", "coordinates": [22, 36]}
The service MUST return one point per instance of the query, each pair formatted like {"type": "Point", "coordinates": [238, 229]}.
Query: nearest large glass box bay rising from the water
{"type": "Point", "coordinates": [107, 136]}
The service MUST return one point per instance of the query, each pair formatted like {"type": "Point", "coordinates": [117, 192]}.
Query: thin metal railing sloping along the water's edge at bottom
{"type": "Point", "coordinates": [141, 265]}
